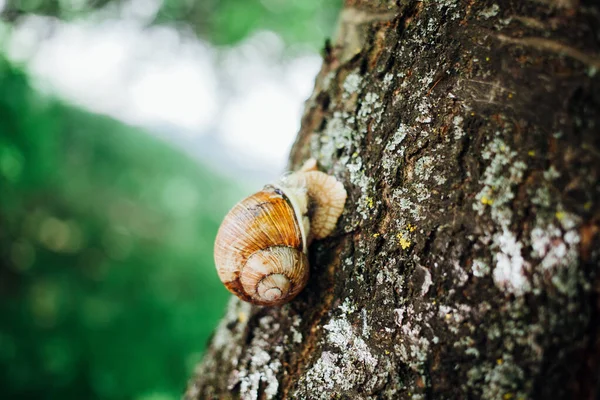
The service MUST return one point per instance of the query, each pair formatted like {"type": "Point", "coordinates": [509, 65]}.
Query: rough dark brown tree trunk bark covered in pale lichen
{"type": "Point", "coordinates": [466, 262]}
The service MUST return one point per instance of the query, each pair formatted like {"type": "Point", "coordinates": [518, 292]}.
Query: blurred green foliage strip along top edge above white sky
{"type": "Point", "coordinates": [222, 22]}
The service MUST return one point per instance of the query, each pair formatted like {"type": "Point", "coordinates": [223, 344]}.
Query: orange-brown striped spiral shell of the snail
{"type": "Point", "coordinates": [259, 249]}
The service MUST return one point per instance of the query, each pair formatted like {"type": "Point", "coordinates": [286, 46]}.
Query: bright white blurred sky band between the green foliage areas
{"type": "Point", "coordinates": [237, 107]}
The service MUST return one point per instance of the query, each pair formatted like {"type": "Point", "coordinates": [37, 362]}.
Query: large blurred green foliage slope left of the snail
{"type": "Point", "coordinates": [107, 284]}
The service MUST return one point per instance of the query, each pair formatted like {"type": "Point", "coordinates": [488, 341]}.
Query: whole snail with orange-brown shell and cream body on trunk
{"type": "Point", "coordinates": [261, 247]}
